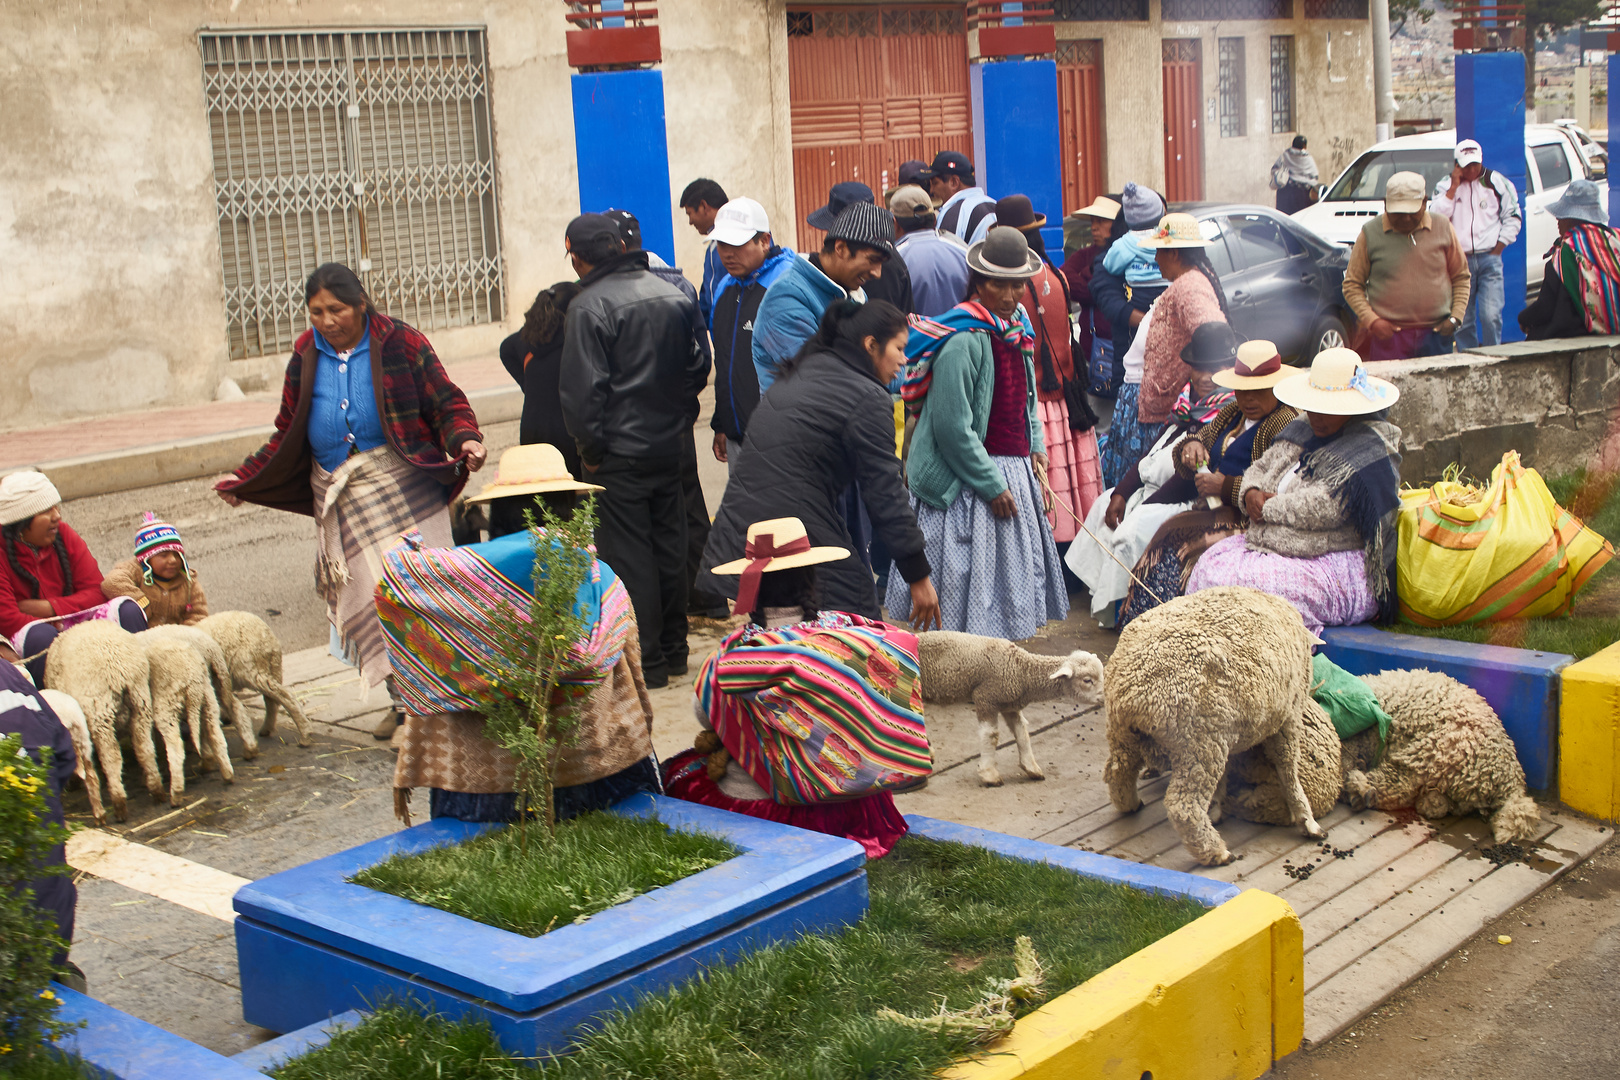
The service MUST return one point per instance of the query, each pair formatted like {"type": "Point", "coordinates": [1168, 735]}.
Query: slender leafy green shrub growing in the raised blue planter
{"type": "Point", "coordinates": [539, 713]}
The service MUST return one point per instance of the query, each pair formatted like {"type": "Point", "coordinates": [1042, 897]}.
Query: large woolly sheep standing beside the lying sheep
{"type": "Point", "coordinates": [1208, 676]}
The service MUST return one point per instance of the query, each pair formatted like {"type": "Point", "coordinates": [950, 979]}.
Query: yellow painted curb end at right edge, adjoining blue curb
{"type": "Point", "coordinates": [1590, 736]}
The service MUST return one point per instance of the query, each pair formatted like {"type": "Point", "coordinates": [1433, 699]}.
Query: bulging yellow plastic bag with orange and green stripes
{"type": "Point", "coordinates": [1506, 551]}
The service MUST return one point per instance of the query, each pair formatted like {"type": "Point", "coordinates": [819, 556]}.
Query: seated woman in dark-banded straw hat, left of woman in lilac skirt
{"type": "Point", "coordinates": [1214, 461]}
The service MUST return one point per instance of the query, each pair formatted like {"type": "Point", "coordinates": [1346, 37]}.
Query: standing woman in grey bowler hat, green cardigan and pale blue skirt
{"type": "Point", "coordinates": [978, 454]}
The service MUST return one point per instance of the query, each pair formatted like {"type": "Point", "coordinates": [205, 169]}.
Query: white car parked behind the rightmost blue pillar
{"type": "Point", "coordinates": [1551, 159]}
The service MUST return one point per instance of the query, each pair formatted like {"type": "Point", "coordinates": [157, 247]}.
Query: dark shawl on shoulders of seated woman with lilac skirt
{"type": "Point", "coordinates": [1363, 466]}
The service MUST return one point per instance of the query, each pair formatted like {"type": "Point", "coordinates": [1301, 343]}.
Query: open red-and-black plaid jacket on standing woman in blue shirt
{"type": "Point", "coordinates": [425, 417]}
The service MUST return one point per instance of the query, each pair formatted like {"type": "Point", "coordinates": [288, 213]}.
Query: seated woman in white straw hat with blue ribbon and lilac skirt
{"type": "Point", "coordinates": [1323, 503]}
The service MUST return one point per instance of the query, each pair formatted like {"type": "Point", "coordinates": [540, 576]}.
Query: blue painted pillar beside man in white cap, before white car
{"type": "Point", "coordinates": [1491, 109]}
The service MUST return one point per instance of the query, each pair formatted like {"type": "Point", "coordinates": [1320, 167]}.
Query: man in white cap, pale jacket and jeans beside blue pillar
{"type": "Point", "coordinates": [1483, 208]}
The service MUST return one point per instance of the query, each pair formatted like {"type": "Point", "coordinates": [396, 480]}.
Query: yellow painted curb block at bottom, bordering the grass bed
{"type": "Point", "coordinates": [1221, 1000]}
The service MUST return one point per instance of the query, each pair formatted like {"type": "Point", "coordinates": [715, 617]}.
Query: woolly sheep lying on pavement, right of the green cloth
{"type": "Point", "coordinates": [1447, 755]}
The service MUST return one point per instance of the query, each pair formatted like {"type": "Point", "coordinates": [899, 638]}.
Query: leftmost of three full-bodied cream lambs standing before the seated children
{"type": "Point", "coordinates": [106, 671]}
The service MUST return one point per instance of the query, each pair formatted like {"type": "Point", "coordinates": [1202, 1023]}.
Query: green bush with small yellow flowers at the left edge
{"type": "Point", "coordinates": [28, 937]}
